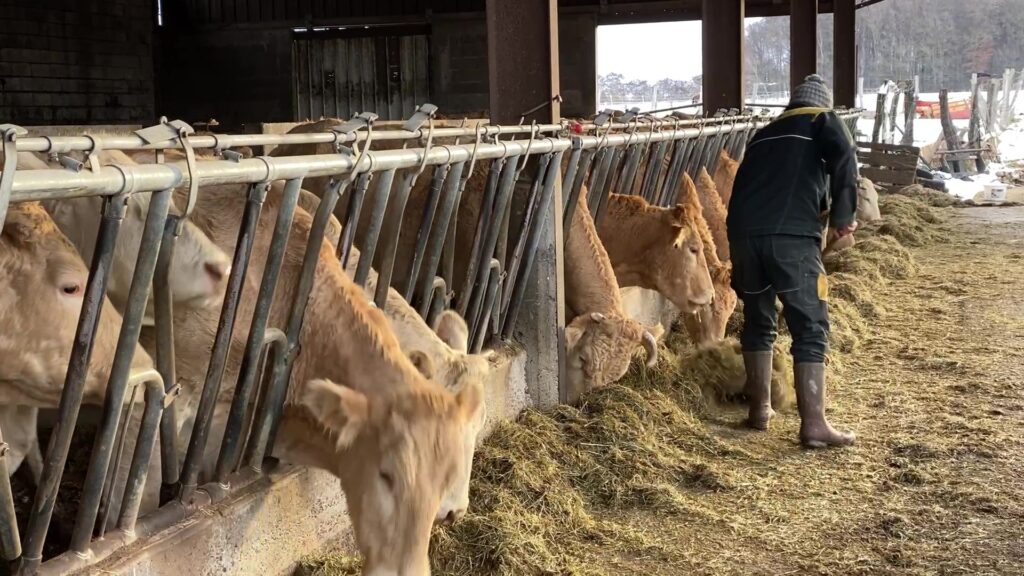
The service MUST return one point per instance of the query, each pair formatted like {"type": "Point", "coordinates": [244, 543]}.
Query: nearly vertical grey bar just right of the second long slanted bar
{"type": "Point", "coordinates": [164, 322]}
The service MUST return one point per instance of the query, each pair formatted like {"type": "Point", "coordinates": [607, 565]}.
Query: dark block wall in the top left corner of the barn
{"type": "Point", "coordinates": [76, 62]}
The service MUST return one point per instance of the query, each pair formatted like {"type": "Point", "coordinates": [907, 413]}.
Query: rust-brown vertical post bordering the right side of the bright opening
{"type": "Point", "coordinates": [723, 55]}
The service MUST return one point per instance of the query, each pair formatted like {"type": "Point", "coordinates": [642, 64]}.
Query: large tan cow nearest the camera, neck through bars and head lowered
{"type": "Point", "coordinates": [358, 406]}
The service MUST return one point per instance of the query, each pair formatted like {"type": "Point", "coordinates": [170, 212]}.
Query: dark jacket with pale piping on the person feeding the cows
{"type": "Point", "coordinates": [781, 185]}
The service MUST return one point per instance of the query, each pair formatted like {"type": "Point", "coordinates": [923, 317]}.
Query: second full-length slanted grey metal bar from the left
{"type": "Point", "coordinates": [139, 296]}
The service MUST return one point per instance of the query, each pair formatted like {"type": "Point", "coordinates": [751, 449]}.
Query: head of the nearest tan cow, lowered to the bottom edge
{"type": "Point", "coordinates": [397, 457]}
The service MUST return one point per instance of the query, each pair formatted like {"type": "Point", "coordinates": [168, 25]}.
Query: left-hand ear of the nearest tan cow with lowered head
{"type": "Point", "coordinates": [342, 410]}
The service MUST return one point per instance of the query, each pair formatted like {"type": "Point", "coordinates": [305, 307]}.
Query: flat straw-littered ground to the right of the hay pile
{"type": "Point", "coordinates": [936, 482]}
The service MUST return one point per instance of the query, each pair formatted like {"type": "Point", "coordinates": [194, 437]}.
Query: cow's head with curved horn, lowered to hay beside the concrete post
{"type": "Point", "coordinates": [601, 349]}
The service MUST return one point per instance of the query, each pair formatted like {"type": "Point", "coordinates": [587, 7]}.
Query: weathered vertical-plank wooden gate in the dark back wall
{"type": "Point", "coordinates": [340, 76]}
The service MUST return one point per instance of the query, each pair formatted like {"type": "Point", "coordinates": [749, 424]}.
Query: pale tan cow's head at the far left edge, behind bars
{"type": "Point", "coordinates": [42, 285]}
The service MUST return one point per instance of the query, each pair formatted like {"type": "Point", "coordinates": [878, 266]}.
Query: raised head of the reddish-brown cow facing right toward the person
{"type": "Point", "coordinates": [680, 266]}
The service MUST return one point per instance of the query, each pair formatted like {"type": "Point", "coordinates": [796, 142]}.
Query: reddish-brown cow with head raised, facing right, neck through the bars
{"type": "Point", "coordinates": [658, 250]}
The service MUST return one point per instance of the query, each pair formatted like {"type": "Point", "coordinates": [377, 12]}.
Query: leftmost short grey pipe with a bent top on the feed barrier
{"type": "Point", "coordinates": [155, 396]}
